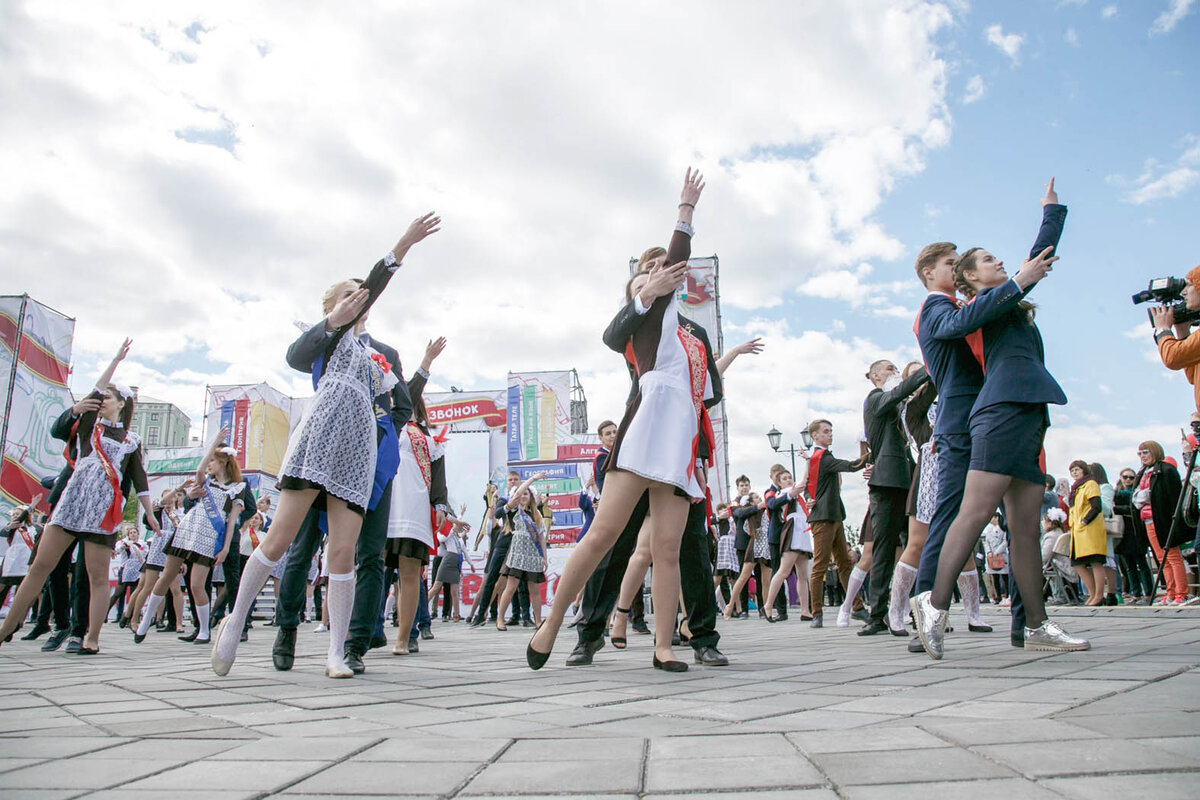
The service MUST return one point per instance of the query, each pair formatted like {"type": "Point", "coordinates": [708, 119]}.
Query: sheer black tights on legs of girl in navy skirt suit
{"type": "Point", "coordinates": [983, 495]}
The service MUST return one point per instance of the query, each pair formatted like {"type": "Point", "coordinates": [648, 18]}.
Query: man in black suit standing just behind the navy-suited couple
{"type": "Point", "coordinates": [891, 479]}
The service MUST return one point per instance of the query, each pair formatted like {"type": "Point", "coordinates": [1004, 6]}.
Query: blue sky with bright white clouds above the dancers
{"type": "Point", "coordinates": [195, 176]}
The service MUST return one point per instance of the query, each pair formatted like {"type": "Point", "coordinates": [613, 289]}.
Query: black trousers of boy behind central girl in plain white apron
{"type": "Point", "coordinates": [695, 578]}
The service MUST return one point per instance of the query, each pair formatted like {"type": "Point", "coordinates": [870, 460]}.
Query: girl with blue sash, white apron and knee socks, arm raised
{"type": "Point", "coordinates": [203, 537]}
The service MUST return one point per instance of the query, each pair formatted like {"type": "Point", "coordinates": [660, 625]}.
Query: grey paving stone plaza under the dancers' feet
{"type": "Point", "coordinates": [799, 714]}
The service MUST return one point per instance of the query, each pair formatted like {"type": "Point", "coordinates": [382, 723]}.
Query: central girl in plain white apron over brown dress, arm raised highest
{"type": "Point", "coordinates": [675, 383]}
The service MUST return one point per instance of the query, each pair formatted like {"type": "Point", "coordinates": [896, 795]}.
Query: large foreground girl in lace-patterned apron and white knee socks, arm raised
{"type": "Point", "coordinates": [331, 461]}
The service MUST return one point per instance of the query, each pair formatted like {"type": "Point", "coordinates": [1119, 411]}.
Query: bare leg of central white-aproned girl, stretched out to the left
{"type": "Point", "coordinates": [622, 491]}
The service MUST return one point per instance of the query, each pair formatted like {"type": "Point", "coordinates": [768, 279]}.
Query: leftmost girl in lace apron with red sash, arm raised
{"type": "Point", "coordinates": [93, 503]}
